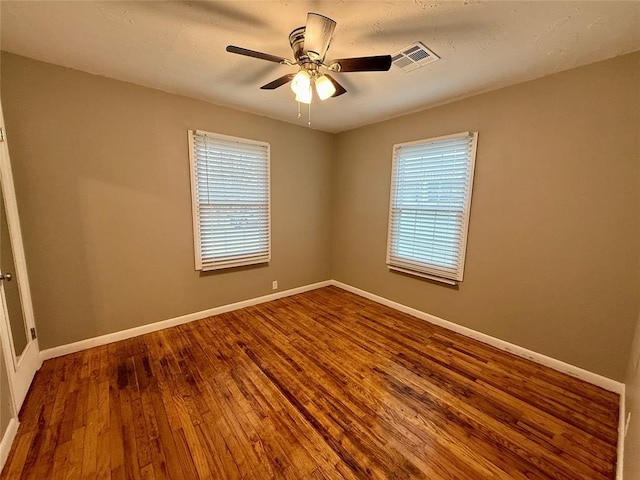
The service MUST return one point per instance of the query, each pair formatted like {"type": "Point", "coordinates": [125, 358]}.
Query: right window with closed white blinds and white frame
{"type": "Point", "coordinates": [429, 208]}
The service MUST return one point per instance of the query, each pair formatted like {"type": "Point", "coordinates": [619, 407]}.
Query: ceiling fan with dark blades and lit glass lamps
{"type": "Point", "coordinates": [310, 44]}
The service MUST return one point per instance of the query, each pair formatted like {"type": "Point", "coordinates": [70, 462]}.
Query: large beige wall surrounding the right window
{"type": "Point", "coordinates": [552, 258]}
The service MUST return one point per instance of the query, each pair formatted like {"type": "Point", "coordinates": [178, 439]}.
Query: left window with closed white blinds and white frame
{"type": "Point", "coordinates": [230, 200]}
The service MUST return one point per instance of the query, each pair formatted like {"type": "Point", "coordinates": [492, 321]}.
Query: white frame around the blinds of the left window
{"type": "Point", "coordinates": [240, 262]}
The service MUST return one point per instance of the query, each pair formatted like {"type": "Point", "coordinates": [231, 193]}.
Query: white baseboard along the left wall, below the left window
{"type": "Point", "coordinates": [172, 322]}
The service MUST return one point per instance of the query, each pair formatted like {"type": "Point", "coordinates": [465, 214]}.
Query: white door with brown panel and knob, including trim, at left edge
{"type": "Point", "coordinates": [17, 329]}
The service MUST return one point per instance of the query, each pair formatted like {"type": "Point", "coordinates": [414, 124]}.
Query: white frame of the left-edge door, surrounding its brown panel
{"type": "Point", "coordinates": [20, 370]}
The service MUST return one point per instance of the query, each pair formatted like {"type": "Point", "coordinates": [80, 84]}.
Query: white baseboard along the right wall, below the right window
{"type": "Point", "coordinates": [577, 372]}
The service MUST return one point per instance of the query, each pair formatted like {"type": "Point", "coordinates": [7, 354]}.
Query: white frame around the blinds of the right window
{"type": "Point", "coordinates": [423, 269]}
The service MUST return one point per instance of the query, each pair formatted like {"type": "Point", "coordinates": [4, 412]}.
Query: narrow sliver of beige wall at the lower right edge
{"type": "Point", "coordinates": [632, 404]}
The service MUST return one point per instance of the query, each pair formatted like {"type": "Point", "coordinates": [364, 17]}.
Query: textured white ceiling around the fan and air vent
{"type": "Point", "coordinates": [179, 47]}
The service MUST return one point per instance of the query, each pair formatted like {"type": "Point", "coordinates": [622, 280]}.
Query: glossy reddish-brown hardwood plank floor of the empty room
{"type": "Point", "coordinates": [322, 385]}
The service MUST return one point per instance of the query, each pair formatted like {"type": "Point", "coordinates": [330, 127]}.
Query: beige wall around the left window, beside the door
{"type": "Point", "coordinates": [102, 179]}
